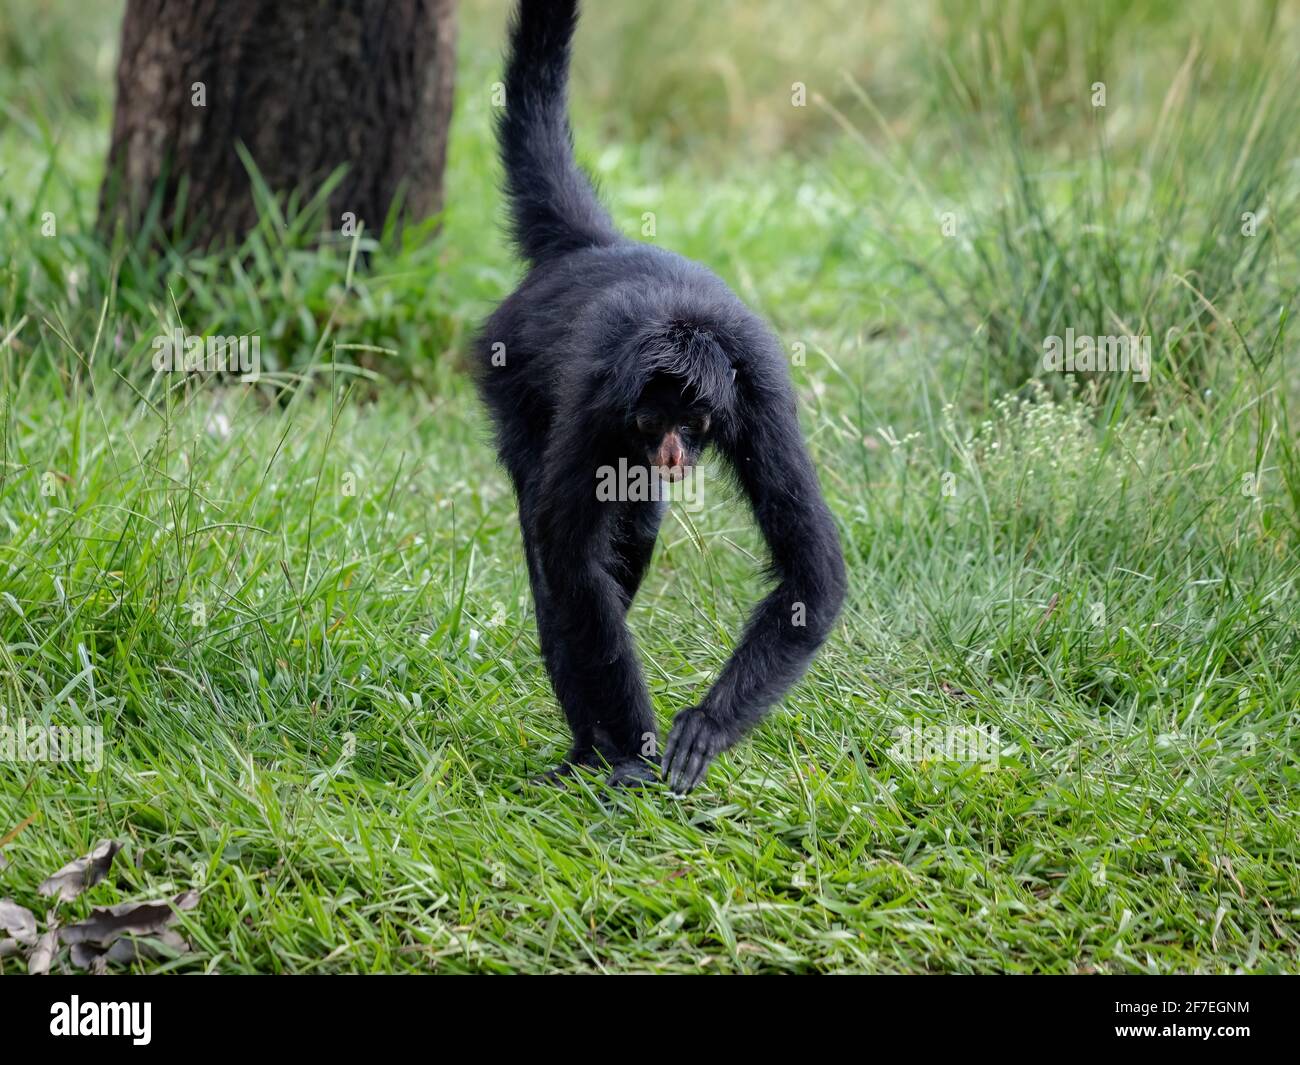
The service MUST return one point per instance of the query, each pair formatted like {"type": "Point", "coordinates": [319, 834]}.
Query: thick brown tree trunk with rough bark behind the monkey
{"type": "Point", "coordinates": [306, 86]}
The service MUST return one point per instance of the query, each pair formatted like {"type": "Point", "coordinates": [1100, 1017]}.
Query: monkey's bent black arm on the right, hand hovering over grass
{"type": "Point", "coordinates": [794, 621]}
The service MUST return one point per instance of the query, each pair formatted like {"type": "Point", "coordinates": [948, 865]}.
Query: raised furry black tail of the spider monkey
{"type": "Point", "coordinates": [554, 209]}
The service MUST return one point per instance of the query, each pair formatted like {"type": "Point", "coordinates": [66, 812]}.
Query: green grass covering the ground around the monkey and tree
{"type": "Point", "coordinates": [301, 612]}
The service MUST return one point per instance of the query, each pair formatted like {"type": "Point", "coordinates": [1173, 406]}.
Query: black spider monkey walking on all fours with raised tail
{"type": "Point", "coordinates": [614, 350]}
